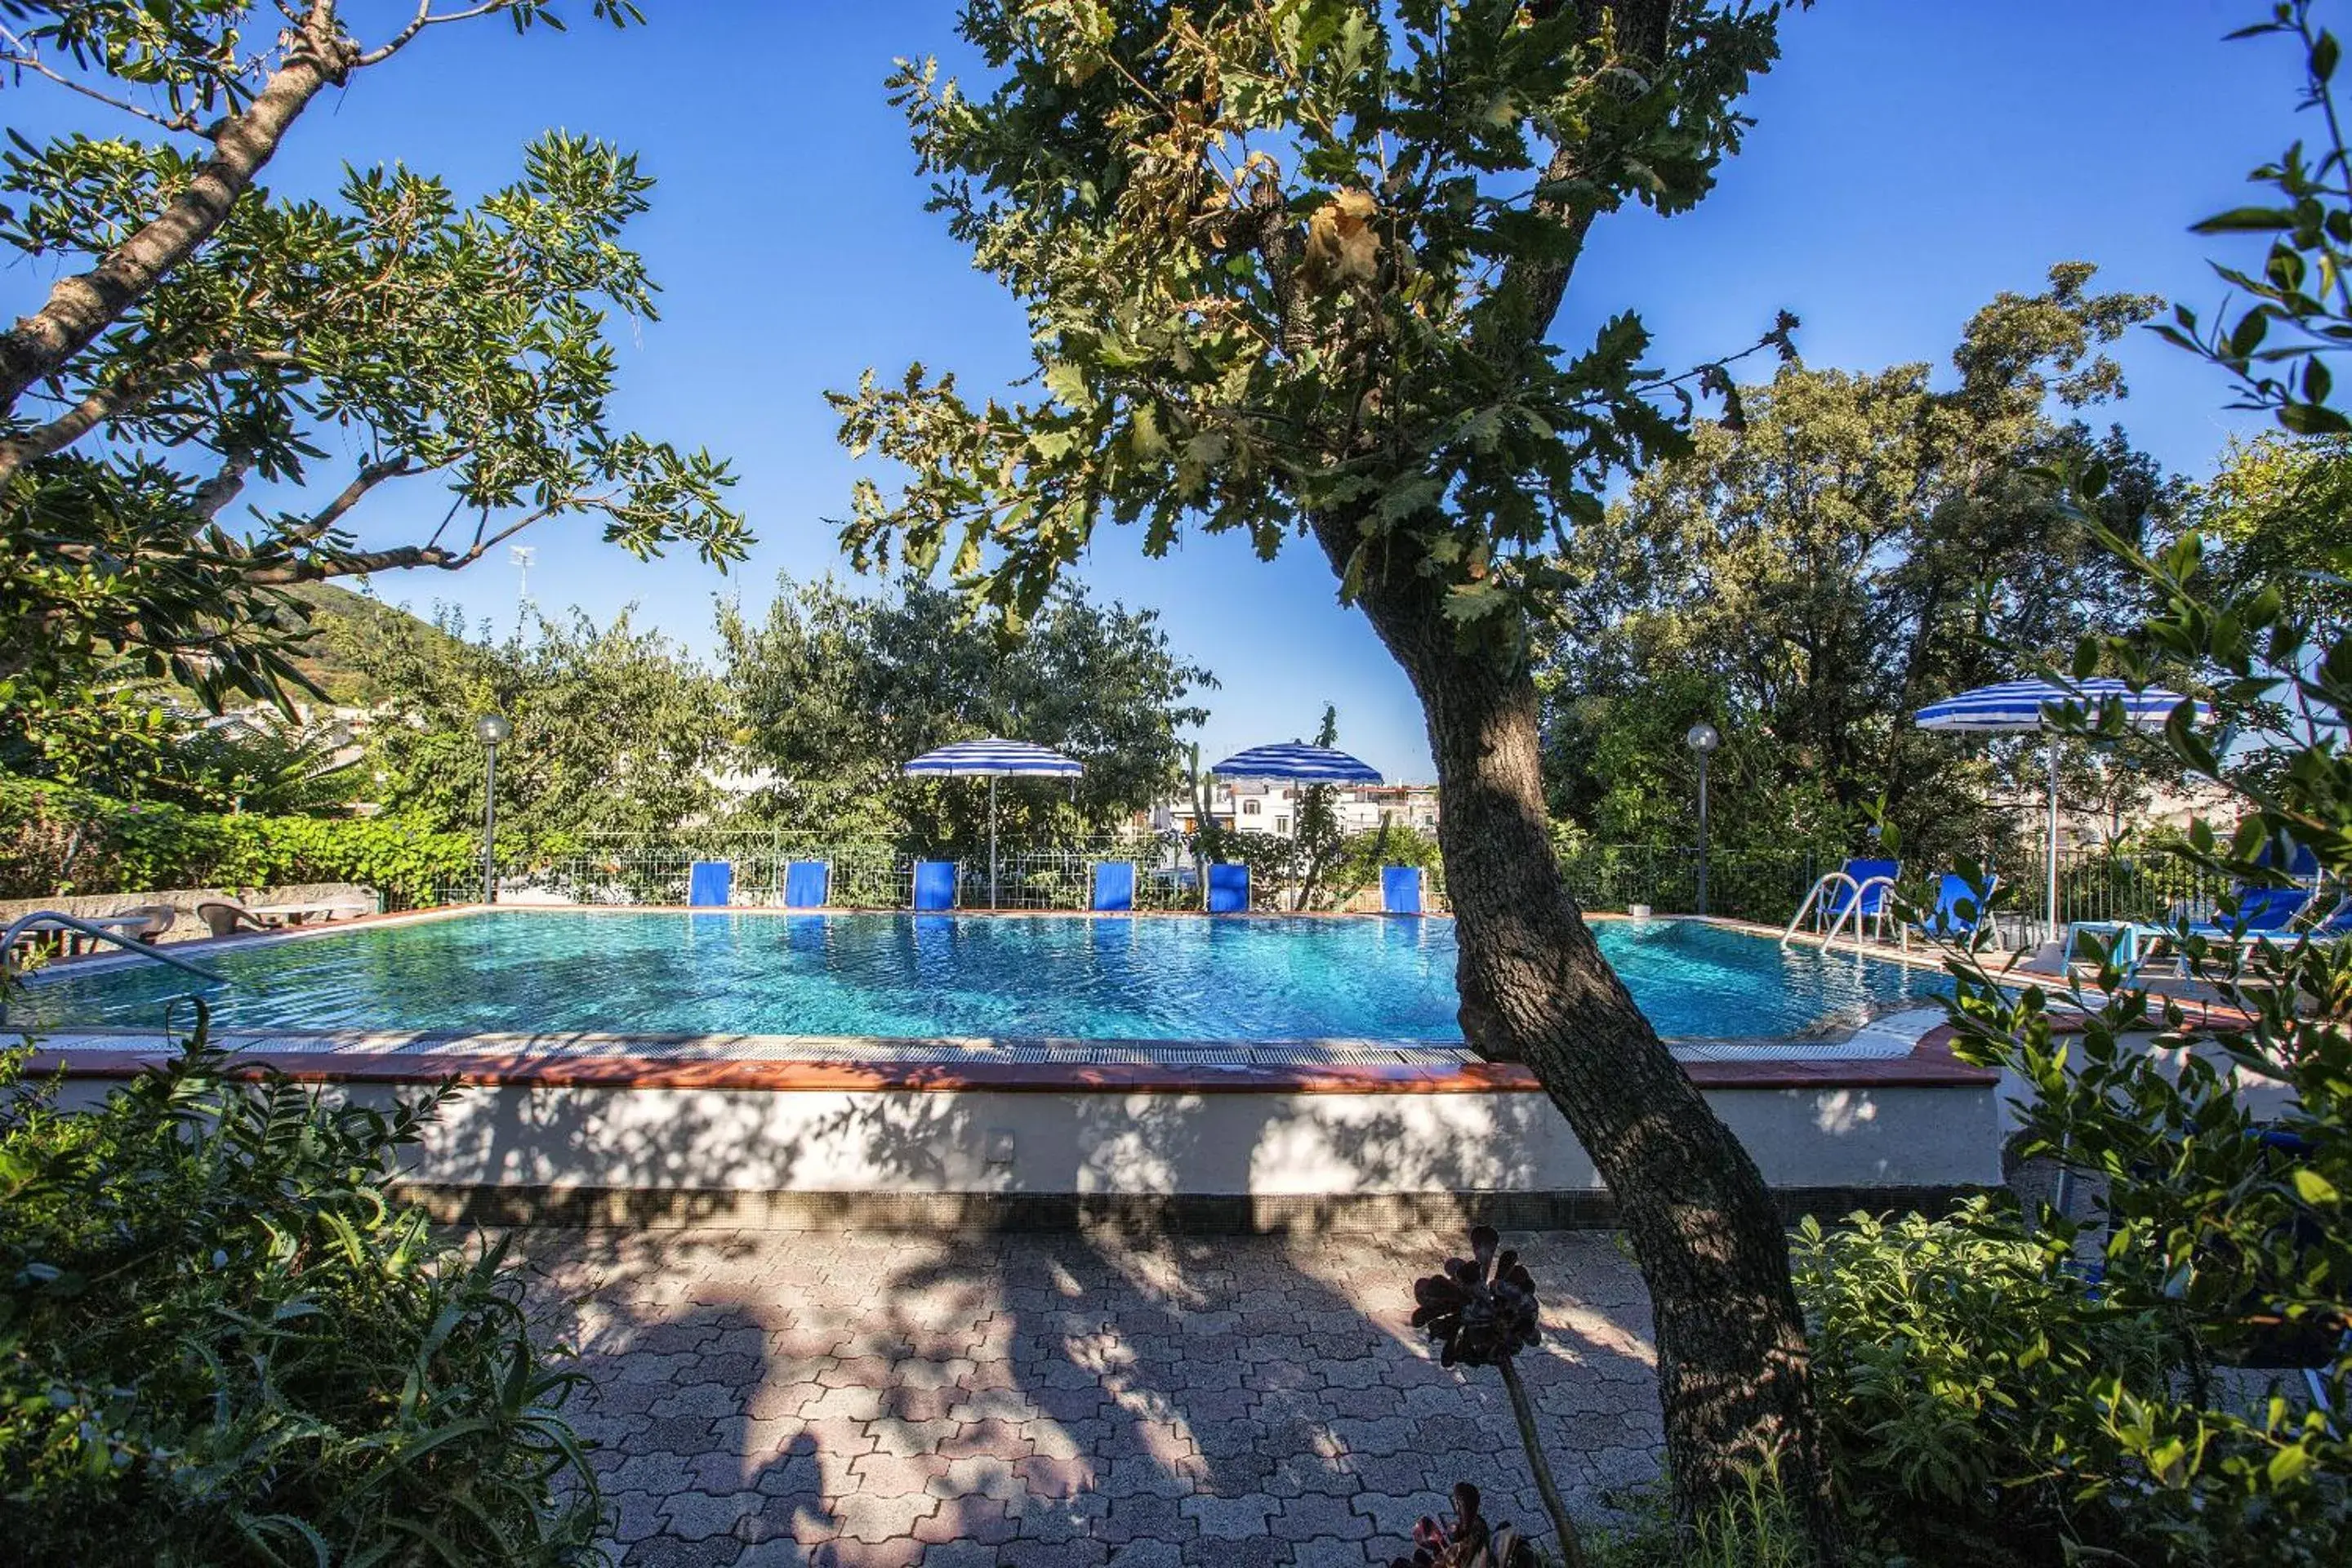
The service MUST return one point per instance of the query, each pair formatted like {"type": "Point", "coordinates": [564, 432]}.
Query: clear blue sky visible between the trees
{"type": "Point", "coordinates": [1909, 163]}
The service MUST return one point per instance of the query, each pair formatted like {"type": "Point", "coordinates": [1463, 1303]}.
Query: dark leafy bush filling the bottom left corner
{"type": "Point", "coordinates": [225, 1343]}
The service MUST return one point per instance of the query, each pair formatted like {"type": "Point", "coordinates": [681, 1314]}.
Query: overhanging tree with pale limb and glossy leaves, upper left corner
{"type": "Point", "coordinates": [206, 335]}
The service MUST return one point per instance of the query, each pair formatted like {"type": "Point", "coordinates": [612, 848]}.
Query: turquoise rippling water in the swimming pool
{"type": "Point", "coordinates": [940, 977]}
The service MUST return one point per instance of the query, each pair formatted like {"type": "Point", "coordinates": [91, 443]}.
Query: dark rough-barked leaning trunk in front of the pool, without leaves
{"type": "Point", "coordinates": [1535, 986]}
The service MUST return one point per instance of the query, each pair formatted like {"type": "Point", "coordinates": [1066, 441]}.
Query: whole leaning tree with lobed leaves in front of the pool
{"type": "Point", "coordinates": [1297, 269]}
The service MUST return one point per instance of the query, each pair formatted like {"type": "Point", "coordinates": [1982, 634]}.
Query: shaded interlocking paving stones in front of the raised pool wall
{"type": "Point", "coordinates": [1071, 1400]}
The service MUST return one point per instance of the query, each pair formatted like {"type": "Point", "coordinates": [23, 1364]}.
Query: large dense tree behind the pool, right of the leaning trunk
{"type": "Point", "coordinates": [1852, 549]}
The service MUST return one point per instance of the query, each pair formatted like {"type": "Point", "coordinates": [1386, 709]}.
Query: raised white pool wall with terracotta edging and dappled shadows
{"type": "Point", "coordinates": [1050, 1134]}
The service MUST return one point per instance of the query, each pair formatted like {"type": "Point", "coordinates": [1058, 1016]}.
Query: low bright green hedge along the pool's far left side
{"type": "Point", "coordinates": [65, 840]}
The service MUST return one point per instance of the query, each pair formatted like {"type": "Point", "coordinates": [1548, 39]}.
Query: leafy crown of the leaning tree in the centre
{"type": "Point", "coordinates": [1274, 290]}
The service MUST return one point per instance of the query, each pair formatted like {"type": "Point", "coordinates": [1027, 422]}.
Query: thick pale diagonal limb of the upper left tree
{"type": "Point", "coordinates": [83, 307]}
